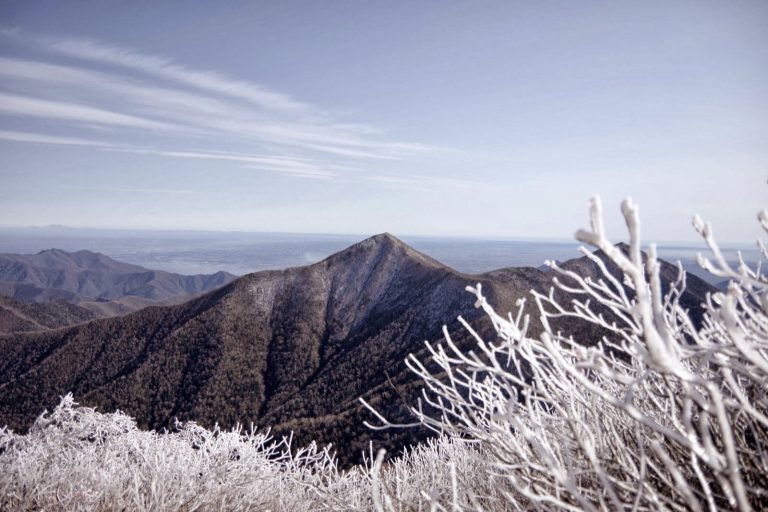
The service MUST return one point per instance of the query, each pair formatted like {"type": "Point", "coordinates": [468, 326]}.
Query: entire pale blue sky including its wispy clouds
{"type": "Point", "coordinates": [443, 118]}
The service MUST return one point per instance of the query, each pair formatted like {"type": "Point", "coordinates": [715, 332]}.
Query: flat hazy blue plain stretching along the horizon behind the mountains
{"type": "Point", "coordinates": [205, 252]}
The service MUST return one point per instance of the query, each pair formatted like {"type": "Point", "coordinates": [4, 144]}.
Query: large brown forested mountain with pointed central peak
{"type": "Point", "coordinates": [291, 349]}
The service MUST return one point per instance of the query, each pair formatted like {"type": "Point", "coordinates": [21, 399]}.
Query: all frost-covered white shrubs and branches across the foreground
{"type": "Point", "coordinates": [661, 413]}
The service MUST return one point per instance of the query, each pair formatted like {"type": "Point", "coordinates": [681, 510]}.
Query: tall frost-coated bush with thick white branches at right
{"type": "Point", "coordinates": [658, 415]}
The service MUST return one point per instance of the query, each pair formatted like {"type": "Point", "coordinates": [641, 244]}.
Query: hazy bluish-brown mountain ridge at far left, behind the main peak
{"type": "Point", "coordinates": [96, 281]}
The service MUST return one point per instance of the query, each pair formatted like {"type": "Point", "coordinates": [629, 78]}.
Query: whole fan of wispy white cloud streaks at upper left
{"type": "Point", "coordinates": [138, 95]}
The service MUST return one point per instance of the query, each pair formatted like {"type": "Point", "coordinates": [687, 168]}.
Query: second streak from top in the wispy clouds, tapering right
{"type": "Point", "coordinates": [188, 111]}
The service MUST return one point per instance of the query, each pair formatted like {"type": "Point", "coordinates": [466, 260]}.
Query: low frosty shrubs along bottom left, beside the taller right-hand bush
{"type": "Point", "coordinates": [78, 459]}
